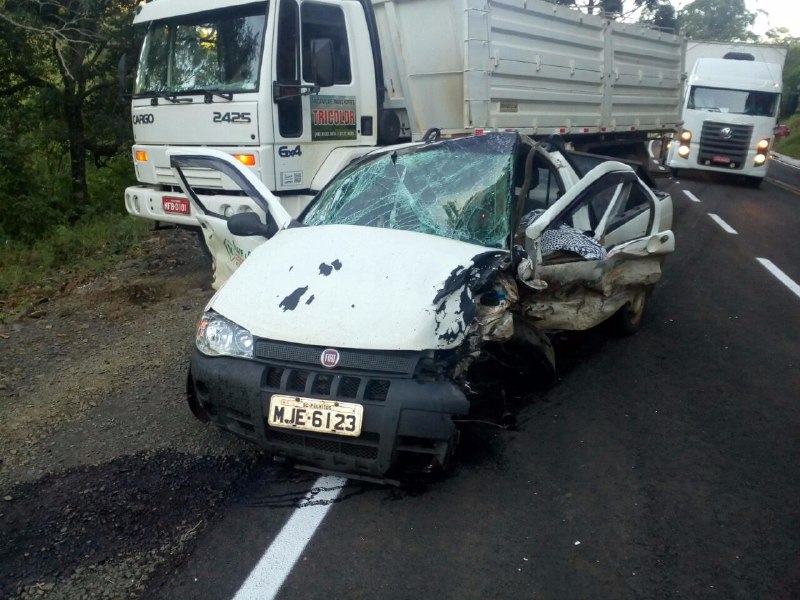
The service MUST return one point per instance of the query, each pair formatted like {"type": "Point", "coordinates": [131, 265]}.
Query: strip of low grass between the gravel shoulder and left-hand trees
{"type": "Point", "coordinates": [87, 249]}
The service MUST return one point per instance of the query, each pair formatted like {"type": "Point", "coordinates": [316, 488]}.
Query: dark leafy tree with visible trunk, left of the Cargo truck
{"type": "Point", "coordinates": [58, 57]}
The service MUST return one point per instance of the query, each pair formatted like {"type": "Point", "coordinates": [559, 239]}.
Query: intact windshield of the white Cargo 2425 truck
{"type": "Point", "coordinates": [212, 51]}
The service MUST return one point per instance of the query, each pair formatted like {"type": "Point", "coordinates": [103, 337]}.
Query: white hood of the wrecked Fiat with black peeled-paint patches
{"type": "Point", "coordinates": [349, 286]}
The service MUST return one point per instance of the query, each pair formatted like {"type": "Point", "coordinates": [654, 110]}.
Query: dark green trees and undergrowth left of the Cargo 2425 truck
{"type": "Point", "coordinates": [63, 121]}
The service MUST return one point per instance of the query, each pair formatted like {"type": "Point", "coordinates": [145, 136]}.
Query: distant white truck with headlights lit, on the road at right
{"type": "Point", "coordinates": [730, 109]}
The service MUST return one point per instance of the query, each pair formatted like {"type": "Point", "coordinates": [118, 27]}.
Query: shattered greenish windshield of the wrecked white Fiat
{"type": "Point", "coordinates": [459, 189]}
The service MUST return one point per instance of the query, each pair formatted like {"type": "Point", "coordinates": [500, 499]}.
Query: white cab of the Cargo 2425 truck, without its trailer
{"type": "Point", "coordinates": [246, 78]}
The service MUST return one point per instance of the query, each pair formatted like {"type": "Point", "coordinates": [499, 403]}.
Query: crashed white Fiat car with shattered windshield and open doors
{"type": "Point", "coordinates": [352, 341]}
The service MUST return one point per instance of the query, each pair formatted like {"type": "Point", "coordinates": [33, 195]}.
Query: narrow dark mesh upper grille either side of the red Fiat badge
{"type": "Point", "coordinates": [396, 363]}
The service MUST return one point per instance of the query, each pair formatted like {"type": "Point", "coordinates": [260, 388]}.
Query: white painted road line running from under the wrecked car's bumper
{"type": "Point", "coordinates": [274, 567]}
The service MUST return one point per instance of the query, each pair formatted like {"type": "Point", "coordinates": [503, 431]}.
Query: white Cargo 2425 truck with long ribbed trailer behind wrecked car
{"type": "Point", "coordinates": [297, 89]}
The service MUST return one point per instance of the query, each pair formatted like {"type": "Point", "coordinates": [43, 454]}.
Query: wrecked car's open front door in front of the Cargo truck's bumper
{"type": "Point", "coordinates": [229, 238]}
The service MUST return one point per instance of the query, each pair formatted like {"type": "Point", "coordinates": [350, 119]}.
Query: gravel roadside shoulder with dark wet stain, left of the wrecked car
{"type": "Point", "coordinates": [105, 477]}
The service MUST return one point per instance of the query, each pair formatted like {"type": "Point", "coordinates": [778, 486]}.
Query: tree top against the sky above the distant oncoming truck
{"type": "Point", "coordinates": [724, 20]}
